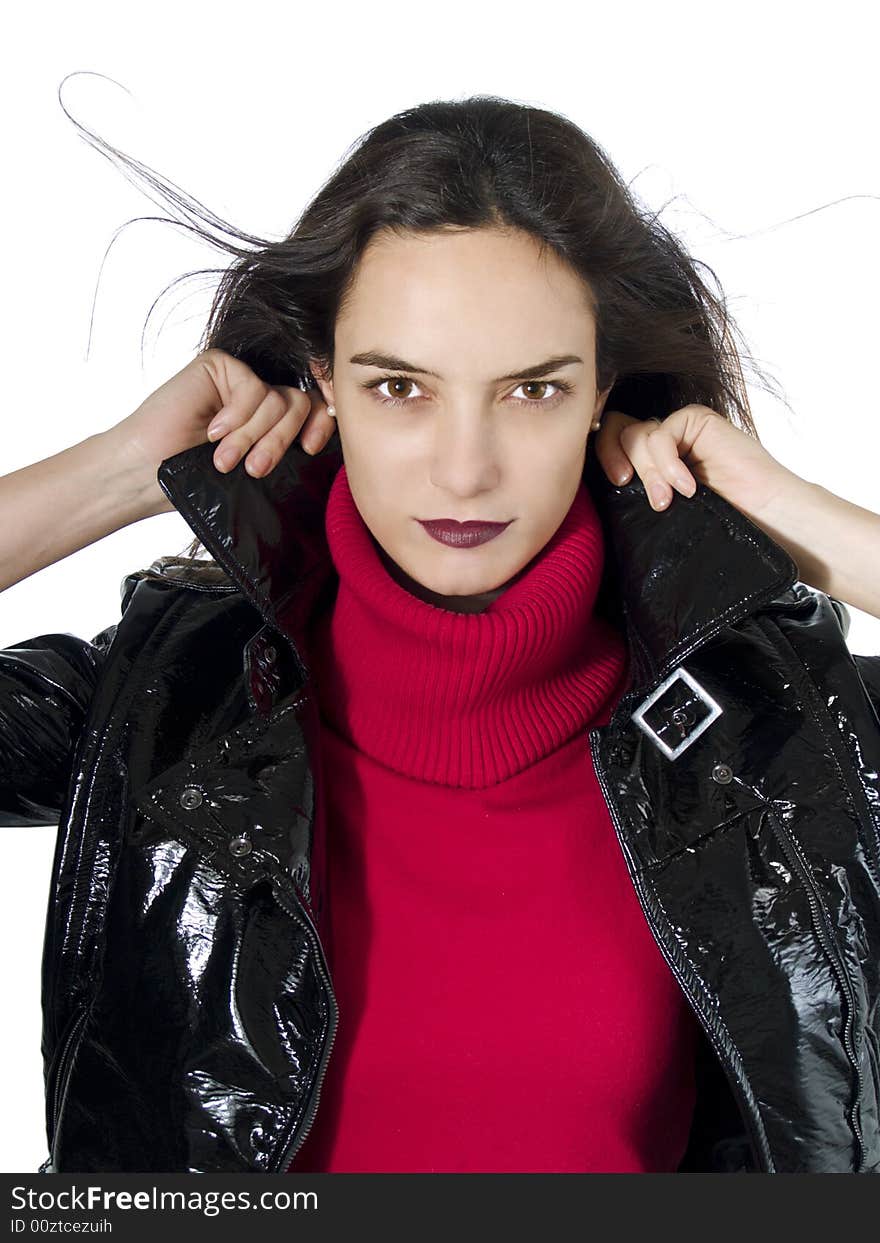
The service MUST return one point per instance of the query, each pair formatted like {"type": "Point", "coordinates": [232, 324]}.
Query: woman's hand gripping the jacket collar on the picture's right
{"type": "Point", "coordinates": [692, 446]}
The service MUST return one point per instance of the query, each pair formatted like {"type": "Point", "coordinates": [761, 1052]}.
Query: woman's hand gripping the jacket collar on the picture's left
{"type": "Point", "coordinates": [259, 421]}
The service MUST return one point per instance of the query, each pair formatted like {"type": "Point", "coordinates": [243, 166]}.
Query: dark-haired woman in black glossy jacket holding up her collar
{"type": "Point", "coordinates": [467, 812]}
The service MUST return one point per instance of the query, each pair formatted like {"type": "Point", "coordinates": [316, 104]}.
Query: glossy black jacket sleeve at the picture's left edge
{"type": "Point", "coordinates": [47, 686]}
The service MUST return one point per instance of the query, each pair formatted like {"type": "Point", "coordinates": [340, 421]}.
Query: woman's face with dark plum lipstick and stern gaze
{"type": "Point", "coordinates": [448, 407]}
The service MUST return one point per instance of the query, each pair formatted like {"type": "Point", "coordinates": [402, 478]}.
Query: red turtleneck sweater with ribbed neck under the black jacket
{"type": "Point", "coordinates": [503, 1004]}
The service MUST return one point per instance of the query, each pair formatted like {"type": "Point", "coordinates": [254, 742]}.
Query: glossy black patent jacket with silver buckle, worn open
{"type": "Point", "coordinates": [188, 1006]}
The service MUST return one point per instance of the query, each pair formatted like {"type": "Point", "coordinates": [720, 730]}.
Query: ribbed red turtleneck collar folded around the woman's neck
{"type": "Point", "coordinates": [465, 699]}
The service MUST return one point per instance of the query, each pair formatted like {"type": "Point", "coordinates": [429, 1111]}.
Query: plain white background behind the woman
{"type": "Point", "coordinates": [750, 117]}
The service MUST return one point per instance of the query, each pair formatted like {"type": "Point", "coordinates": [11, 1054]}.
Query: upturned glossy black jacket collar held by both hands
{"type": "Point", "coordinates": [672, 579]}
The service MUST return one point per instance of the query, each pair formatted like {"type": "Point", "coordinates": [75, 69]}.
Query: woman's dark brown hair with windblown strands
{"type": "Point", "coordinates": [473, 163]}
